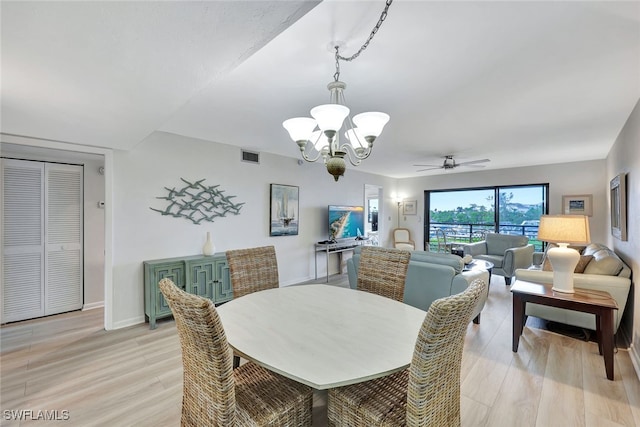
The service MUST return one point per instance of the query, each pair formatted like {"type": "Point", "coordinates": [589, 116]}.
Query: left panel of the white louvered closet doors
{"type": "Point", "coordinates": [23, 240]}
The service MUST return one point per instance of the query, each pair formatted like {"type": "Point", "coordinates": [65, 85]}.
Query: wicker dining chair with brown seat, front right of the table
{"type": "Point", "coordinates": [428, 392]}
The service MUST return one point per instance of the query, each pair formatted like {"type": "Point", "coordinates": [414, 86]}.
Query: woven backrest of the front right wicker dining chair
{"type": "Point", "coordinates": [433, 393]}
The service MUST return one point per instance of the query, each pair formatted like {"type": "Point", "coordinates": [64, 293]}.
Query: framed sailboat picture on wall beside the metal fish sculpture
{"type": "Point", "coordinates": [284, 213]}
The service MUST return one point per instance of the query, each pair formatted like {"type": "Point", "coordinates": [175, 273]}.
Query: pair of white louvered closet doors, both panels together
{"type": "Point", "coordinates": [42, 239]}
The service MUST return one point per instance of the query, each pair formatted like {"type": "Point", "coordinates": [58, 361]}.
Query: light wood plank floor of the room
{"type": "Point", "coordinates": [133, 376]}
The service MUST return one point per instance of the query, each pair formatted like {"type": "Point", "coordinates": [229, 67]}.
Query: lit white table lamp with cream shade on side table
{"type": "Point", "coordinates": [564, 230]}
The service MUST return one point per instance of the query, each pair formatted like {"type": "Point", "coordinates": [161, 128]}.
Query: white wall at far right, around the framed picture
{"type": "Point", "coordinates": [624, 157]}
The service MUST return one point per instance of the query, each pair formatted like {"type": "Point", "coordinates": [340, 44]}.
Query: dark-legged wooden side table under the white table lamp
{"type": "Point", "coordinates": [598, 303]}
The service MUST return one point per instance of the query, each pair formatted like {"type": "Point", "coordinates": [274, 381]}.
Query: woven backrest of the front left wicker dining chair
{"type": "Point", "coordinates": [208, 389]}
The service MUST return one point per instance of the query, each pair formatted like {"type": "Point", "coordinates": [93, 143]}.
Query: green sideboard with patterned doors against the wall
{"type": "Point", "coordinates": [207, 276]}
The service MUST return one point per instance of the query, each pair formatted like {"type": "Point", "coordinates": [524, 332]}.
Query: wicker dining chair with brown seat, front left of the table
{"type": "Point", "coordinates": [215, 394]}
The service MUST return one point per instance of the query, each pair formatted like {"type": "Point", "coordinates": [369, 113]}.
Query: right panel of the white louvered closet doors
{"type": "Point", "coordinates": [63, 237]}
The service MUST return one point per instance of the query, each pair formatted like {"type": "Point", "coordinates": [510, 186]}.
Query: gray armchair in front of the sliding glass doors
{"type": "Point", "coordinates": [507, 253]}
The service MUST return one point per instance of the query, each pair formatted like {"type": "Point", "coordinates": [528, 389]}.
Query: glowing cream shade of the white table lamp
{"type": "Point", "coordinates": [571, 229]}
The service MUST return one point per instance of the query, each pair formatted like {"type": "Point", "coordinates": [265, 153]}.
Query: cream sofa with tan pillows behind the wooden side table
{"type": "Point", "coordinates": [604, 272]}
